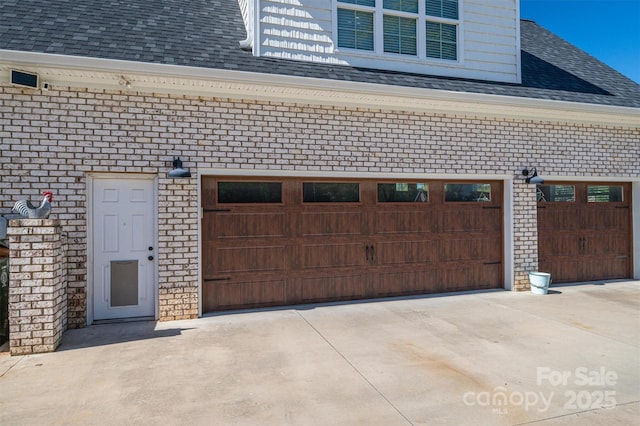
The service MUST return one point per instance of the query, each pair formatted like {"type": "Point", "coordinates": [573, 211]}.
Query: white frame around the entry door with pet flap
{"type": "Point", "coordinates": [91, 178]}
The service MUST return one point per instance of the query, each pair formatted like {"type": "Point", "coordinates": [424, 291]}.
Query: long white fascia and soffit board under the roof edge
{"type": "Point", "coordinates": [74, 71]}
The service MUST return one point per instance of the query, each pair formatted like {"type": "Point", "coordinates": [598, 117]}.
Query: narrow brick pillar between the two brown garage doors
{"type": "Point", "coordinates": [525, 221]}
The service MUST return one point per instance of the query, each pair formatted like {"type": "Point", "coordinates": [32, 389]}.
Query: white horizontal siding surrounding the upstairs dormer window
{"type": "Point", "coordinates": [304, 30]}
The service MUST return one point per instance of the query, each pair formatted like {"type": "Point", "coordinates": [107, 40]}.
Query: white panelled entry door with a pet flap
{"type": "Point", "coordinates": [124, 253]}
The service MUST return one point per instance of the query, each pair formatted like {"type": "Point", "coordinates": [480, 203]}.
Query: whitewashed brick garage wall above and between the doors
{"type": "Point", "coordinates": [52, 140]}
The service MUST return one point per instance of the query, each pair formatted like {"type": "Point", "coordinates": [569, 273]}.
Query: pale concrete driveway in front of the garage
{"type": "Point", "coordinates": [479, 358]}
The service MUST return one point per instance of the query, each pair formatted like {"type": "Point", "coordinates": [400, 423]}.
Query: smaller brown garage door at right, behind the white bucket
{"type": "Point", "coordinates": [584, 231]}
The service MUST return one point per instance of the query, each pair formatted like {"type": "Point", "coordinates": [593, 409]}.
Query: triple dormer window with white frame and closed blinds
{"type": "Point", "coordinates": [415, 28]}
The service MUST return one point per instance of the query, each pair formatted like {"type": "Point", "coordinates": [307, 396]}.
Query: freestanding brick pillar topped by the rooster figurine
{"type": "Point", "coordinates": [37, 286]}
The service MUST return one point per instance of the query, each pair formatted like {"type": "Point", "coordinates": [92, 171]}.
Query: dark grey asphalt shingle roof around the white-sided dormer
{"type": "Point", "coordinates": [205, 33]}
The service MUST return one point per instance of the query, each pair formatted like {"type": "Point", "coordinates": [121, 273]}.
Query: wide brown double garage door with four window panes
{"type": "Point", "coordinates": [290, 241]}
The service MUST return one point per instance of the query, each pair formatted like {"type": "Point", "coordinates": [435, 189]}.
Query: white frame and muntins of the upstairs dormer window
{"type": "Point", "coordinates": [378, 42]}
